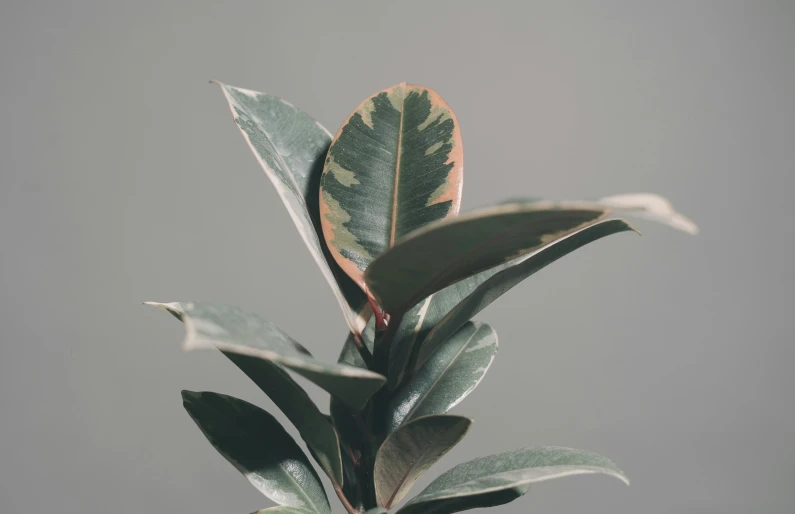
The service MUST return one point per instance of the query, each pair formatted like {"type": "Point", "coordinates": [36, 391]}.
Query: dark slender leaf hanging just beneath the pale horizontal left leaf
{"type": "Point", "coordinates": [315, 429]}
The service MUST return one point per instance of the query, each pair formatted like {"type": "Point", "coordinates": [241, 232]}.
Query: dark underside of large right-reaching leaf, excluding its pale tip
{"type": "Point", "coordinates": [447, 251]}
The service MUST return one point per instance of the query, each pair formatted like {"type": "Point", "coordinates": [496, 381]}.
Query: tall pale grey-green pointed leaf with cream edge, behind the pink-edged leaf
{"type": "Point", "coordinates": [290, 146]}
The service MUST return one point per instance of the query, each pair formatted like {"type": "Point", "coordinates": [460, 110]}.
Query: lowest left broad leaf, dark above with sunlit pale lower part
{"type": "Point", "coordinates": [256, 444]}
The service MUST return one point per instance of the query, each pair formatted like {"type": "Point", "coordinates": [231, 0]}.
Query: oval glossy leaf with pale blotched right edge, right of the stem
{"type": "Point", "coordinates": [451, 373]}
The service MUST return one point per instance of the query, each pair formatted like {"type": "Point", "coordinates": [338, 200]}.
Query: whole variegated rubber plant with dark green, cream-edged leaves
{"type": "Point", "coordinates": [377, 205]}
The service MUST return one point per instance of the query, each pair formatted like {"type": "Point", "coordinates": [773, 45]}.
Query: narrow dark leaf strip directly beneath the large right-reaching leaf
{"type": "Point", "coordinates": [512, 274]}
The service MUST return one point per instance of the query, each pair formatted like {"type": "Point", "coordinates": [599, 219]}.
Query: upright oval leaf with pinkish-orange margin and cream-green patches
{"type": "Point", "coordinates": [394, 166]}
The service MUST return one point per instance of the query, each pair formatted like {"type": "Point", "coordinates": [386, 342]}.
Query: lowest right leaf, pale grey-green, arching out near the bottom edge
{"type": "Point", "coordinates": [501, 478]}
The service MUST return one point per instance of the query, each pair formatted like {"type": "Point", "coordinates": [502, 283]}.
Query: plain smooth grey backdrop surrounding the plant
{"type": "Point", "coordinates": [123, 179]}
